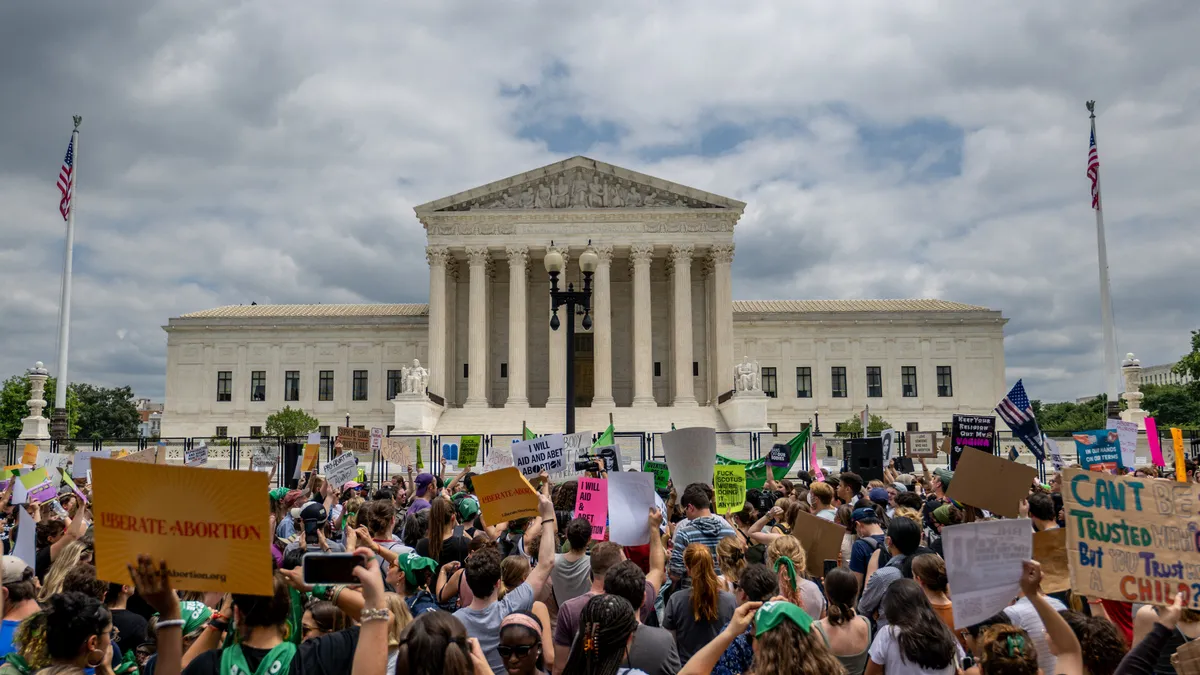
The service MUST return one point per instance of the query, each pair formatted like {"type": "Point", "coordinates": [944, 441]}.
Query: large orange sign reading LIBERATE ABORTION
{"type": "Point", "coordinates": [212, 527]}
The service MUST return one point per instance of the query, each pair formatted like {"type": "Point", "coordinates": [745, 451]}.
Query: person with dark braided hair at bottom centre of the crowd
{"type": "Point", "coordinates": [607, 628]}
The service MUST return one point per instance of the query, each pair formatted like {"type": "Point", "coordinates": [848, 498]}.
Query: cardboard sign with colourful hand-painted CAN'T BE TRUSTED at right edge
{"type": "Point", "coordinates": [1132, 540]}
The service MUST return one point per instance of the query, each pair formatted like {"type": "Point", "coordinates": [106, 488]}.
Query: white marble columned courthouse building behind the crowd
{"type": "Point", "coordinates": [667, 331]}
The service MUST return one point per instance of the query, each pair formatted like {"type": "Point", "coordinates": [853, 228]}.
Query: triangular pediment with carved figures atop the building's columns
{"type": "Point", "coordinates": [580, 183]}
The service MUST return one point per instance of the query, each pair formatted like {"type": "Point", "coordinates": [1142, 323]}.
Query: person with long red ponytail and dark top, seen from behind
{"type": "Point", "coordinates": [697, 614]}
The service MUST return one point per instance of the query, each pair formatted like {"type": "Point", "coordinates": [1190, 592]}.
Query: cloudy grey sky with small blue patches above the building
{"type": "Point", "coordinates": [273, 152]}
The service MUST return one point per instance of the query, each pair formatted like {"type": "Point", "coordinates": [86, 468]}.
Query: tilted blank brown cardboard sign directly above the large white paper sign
{"type": "Point", "coordinates": [993, 483]}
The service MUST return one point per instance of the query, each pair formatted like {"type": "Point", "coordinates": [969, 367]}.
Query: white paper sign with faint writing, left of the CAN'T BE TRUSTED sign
{"type": "Point", "coordinates": [983, 563]}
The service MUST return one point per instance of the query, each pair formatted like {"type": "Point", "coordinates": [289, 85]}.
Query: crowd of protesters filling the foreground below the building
{"type": "Point", "coordinates": [445, 592]}
